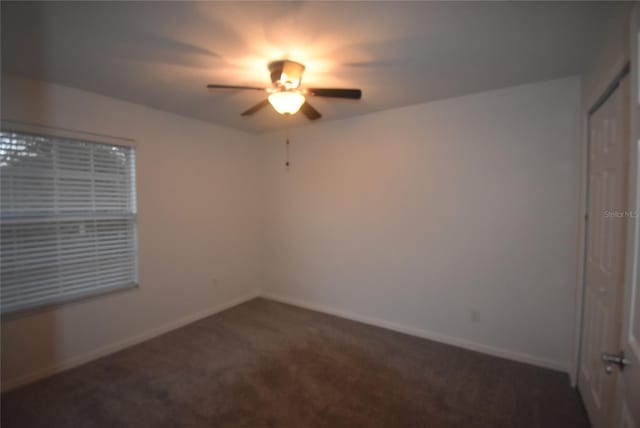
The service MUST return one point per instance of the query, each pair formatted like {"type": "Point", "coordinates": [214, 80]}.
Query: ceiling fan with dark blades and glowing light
{"type": "Point", "coordinates": [285, 94]}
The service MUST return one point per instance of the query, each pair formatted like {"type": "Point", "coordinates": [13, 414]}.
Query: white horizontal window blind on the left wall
{"type": "Point", "coordinates": [68, 219]}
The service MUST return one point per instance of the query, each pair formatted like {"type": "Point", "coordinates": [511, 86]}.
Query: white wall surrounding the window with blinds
{"type": "Point", "coordinates": [198, 219]}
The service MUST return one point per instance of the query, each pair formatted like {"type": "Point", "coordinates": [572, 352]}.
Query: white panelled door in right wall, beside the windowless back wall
{"type": "Point", "coordinates": [605, 261]}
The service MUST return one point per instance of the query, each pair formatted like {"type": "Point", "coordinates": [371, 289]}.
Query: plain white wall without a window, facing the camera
{"type": "Point", "coordinates": [454, 219]}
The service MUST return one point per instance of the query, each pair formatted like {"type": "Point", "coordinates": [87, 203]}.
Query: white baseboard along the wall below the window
{"type": "Point", "coordinates": [118, 346]}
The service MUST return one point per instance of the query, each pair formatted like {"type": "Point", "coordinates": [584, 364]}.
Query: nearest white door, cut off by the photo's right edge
{"type": "Point", "coordinates": [628, 397]}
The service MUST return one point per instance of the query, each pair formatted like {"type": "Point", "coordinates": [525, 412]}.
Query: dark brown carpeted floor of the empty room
{"type": "Point", "coordinates": [265, 364]}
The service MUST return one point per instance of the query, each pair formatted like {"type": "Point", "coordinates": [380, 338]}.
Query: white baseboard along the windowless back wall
{"type": "Point", "coordinates": [425, 334]}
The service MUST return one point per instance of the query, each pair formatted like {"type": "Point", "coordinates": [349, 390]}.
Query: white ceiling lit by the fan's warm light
{"type": "Point", "coordinates": [162, 54]}
